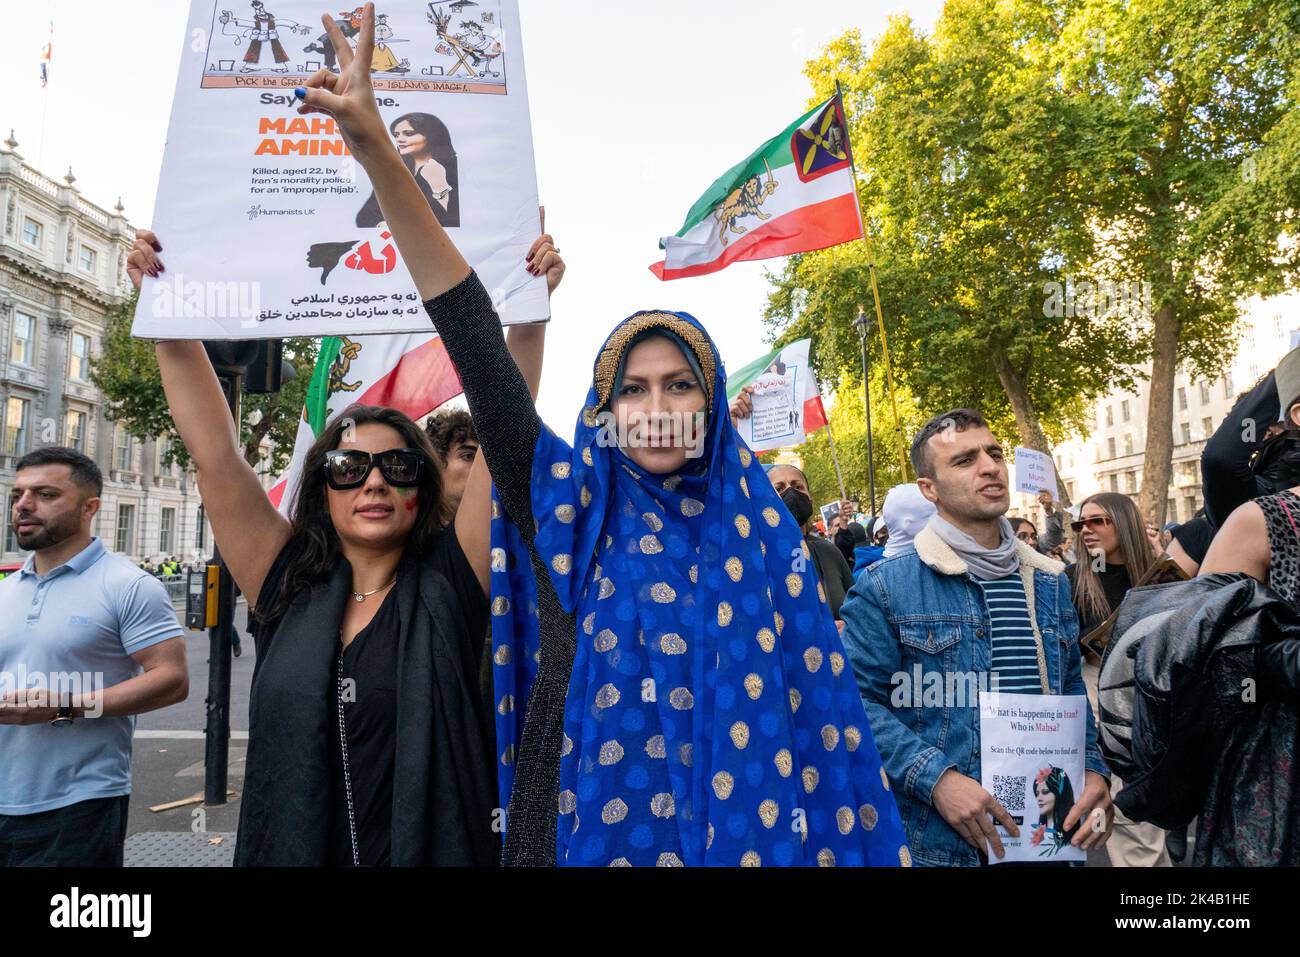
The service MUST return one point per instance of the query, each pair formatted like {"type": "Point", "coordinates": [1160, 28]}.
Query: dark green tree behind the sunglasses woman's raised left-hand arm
{"type": "Point", "coordinates": [127, 373]}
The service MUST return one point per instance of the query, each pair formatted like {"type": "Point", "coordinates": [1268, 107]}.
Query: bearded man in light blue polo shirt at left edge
{"type": "Point", "coordinates": [88, 642]}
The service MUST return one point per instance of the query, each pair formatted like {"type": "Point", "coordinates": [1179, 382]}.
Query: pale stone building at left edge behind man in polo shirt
{"type": "Point", "coordinates": [63, 270]}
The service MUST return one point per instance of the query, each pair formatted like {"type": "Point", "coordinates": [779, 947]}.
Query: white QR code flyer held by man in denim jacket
{"type": "Point", "coordinates": [1033, 748]}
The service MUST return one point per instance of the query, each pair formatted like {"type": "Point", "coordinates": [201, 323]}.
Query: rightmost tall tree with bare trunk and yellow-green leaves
{"type": "Point", "coordinates": [1197, 135]}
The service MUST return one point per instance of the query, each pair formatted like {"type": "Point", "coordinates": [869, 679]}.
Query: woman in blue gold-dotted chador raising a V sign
{"type": "Point", "coordinates": [657, 622]}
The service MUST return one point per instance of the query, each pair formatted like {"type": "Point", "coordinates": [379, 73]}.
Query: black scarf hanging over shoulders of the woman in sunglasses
{"type": "Point", "coordinates": [444, 790]}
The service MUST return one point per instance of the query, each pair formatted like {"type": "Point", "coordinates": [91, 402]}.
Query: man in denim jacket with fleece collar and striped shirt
{"type": "Point", "coordinates": [968, 603]}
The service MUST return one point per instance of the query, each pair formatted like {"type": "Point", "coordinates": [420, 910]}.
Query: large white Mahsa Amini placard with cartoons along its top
{"type": "Point", "coordinates": [271, 228]}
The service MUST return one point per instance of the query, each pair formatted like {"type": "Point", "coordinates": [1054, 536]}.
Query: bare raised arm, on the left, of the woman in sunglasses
{"type": "Point", "coordinates": [249, 530]}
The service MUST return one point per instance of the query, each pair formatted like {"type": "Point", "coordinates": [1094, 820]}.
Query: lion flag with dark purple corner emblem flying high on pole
{"type": "Point", "coordinates": [795, 194]}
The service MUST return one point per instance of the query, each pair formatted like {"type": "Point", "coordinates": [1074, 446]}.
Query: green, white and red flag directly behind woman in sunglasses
{"type": "Point", "coordinates": [411, 374]}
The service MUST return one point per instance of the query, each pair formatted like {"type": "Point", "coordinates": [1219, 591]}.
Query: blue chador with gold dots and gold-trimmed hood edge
{"type": "Point", "coordinates": [712, 717]}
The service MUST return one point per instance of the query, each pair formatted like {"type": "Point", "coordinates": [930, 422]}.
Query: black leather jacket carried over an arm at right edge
{"type": "Point", "coordinates": [1191, 660]}
